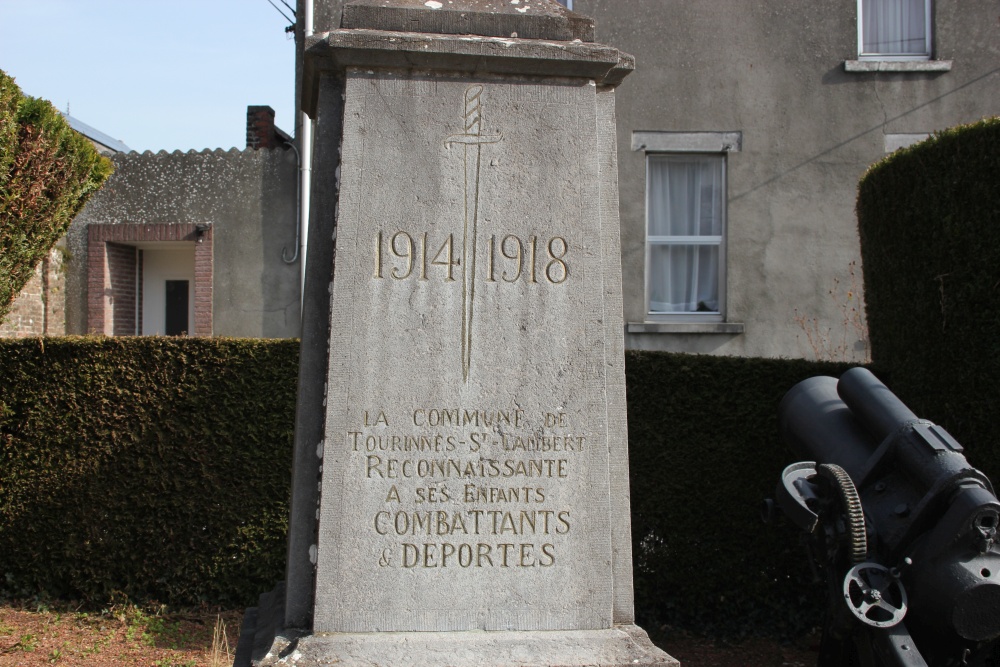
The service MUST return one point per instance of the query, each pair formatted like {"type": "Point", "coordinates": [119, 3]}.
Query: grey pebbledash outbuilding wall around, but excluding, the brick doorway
{"type": "Point", "coordinates": [248, 196]}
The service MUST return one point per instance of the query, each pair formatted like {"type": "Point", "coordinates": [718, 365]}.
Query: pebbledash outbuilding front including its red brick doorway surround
{"type": "Point", "coordinates": [234, 210]}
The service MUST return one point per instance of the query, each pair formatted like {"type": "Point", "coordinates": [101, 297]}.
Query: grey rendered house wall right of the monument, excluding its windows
{"type": "Point", "coordinates": [774, 70]}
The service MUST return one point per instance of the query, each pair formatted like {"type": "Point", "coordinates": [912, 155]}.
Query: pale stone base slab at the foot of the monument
{"type": "Point", "coordinates": [619, 646]}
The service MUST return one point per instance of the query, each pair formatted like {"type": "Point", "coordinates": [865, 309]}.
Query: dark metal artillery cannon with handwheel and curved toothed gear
{"type": "Point", "coordinates": [899, 524]}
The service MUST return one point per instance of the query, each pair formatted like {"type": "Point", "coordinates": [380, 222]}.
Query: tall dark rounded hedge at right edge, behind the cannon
{"type": "Point", "coordinates": [929, 221]}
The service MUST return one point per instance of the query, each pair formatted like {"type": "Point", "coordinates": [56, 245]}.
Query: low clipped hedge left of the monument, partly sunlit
{"type": "Point", "coordinates": [154, 468]}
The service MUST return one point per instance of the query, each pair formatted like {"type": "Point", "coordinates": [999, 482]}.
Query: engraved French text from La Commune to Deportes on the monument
{"type": "Point", "coordinates": [467, 488]}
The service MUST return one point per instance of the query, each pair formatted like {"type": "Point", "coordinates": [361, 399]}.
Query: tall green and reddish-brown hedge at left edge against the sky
{"type": "Point", "coordinates": [48, 171]}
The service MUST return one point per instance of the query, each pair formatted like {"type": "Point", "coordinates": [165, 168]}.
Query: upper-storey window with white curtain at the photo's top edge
{"type": "Point", "coordinates": [894, 29]}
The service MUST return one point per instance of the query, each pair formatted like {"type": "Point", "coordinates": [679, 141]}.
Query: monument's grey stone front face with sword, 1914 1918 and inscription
{"type": "Point", "coordinates": [467, 439]}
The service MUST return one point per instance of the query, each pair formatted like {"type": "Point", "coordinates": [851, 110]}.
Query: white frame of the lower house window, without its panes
{"type": "Point", "coordinates": [720, 240]}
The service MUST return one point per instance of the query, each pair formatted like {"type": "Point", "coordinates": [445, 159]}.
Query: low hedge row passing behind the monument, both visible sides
{"type": "Point", "coordinates": [159, 469]}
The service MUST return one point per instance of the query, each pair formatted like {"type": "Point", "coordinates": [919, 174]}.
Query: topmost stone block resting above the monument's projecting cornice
{"type": "Point", "coordinates": [528, 19]}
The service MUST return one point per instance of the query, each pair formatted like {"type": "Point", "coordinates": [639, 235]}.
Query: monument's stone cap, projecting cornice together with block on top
{"type": "Point", "coordinates": [477, 37]}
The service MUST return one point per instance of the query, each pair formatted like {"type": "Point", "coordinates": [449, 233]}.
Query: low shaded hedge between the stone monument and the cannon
{"type": "Point", "coordinates": [704, 454]}
